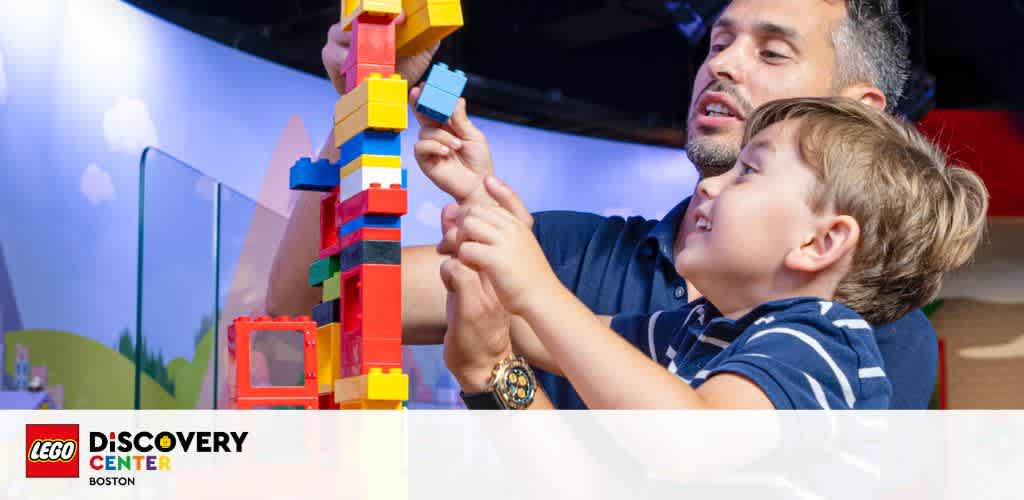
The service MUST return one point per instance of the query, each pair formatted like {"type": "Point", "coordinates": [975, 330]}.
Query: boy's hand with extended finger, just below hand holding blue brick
{"type": "Point", "coordinates": [497, 242]}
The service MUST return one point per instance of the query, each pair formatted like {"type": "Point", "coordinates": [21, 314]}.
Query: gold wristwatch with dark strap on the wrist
{"type": "Point", "coordinates": [513, 387]}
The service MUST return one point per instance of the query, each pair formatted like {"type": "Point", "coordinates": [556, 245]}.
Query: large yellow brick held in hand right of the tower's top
{"type": "Point", "coordinates": [428, 22]}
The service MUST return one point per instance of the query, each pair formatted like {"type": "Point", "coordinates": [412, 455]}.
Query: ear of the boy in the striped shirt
{"type": "Point", "coordinates": [837, 237]}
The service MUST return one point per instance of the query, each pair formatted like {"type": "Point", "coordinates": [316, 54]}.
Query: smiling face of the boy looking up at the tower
{"type": "Point", "coordinates": [749, 219]}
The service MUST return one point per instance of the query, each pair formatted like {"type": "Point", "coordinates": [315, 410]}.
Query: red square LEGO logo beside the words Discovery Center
{"type": "Point", "coordinates": [52, 450]}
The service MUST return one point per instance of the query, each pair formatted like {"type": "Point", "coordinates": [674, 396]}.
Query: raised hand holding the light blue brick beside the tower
{"type": "Point", "coordinates": [455, 156]}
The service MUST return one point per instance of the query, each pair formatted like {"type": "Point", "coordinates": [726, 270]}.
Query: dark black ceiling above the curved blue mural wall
{"type": "Point", "coordinates": [618, 69]}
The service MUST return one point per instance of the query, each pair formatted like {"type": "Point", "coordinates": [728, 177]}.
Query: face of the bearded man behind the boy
{"type": "Point", "coordinates": [761, 51]}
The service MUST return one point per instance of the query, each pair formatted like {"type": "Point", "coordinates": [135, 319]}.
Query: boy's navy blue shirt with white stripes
{"type": "Point", "coordinates": [803, 353]}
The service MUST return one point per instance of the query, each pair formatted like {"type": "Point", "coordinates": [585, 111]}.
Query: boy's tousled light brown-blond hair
{"type": "Point", "coordinates": [919, 217]}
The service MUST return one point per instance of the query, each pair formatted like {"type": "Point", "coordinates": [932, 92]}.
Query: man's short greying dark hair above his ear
{"type": "Point", "coordinates": [873, 47]}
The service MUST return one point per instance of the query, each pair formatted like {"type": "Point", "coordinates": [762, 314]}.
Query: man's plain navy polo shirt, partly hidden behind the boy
{"type": "Point", "coordinates": [618, 266]}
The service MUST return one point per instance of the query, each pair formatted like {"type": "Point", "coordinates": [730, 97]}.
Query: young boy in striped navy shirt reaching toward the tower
{"type": "Point", "coordinates": [836, 217]}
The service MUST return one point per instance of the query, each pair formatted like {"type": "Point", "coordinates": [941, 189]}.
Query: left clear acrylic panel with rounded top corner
{"type": "Point", "coordinates": [177, 286]}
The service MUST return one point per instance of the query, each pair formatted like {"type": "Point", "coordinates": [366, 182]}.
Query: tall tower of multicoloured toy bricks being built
{"type": "Point", "coordinates": [360, 319]}
